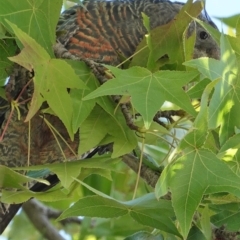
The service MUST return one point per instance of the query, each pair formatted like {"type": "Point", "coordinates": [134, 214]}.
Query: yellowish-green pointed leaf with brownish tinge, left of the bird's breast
{"type": "Point", "coordinates": [52, 79]}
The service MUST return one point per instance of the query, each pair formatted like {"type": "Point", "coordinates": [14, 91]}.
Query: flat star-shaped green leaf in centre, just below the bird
{"type": "Point", "coordinates": [148, 90]}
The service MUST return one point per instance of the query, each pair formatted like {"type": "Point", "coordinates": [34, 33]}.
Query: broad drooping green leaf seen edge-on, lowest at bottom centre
{"type": "Point", "coordinates": [145, 210]}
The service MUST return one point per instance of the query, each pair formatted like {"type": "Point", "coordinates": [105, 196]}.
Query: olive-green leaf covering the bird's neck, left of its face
{"type": "Point", "coordinates": [164, 40]}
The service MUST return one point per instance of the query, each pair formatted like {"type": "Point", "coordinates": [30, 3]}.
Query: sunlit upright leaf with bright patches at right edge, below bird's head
{"type": "Point", "coordinates": [223, 107]}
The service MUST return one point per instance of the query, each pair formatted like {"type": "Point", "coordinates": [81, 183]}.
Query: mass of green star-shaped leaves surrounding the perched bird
{"type": "Point", "coordinates": [195, 154]}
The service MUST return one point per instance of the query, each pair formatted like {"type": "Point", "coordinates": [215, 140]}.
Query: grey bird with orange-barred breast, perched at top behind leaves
{"type": "Point", "coordinates": [102, 30]}
